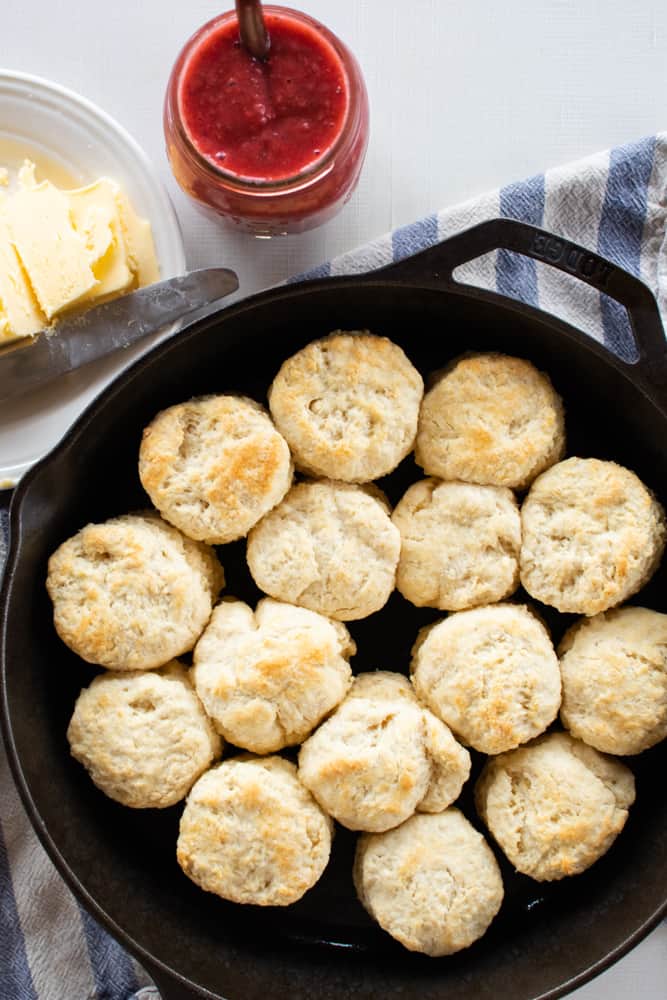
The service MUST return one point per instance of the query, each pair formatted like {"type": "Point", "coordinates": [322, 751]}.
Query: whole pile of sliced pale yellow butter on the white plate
{"type": "Point", "coordinates": [67, 249]}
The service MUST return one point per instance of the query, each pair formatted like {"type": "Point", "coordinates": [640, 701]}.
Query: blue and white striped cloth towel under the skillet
{"type": "Point", "coordinates": [614, 203]}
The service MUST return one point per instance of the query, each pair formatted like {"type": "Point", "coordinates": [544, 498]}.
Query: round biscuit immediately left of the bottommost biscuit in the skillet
{"type": "Point", "coordinates": [251, 833]}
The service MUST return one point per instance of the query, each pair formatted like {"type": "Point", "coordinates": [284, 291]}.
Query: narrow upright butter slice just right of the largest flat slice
{"type": "Point", "coordinates": [96, 218]}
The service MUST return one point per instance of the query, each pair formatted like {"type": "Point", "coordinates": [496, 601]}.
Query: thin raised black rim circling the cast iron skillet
{"type": "Point", "coordinates": [636, 373]}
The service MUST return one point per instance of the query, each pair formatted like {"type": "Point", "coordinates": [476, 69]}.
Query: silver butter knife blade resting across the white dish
{"type": "Point", "coordinates": [102, 330]}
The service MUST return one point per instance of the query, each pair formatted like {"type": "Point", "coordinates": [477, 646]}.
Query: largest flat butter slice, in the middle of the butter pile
{"type": "Point", "coordinates": [51, 251]}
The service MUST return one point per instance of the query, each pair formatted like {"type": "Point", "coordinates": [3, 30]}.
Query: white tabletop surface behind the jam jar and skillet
{"type": "Point", "coordinates": [464, 98]}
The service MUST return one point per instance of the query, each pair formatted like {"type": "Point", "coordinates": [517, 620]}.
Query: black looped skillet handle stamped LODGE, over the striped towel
{"type": "Point", "coordinates": [436, 265]}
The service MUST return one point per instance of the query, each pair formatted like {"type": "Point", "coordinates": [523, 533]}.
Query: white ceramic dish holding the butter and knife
{"type": "Point", "coordinates": [49, 122]}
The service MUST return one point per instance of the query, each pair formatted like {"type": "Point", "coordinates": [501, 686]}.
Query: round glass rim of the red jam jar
{"type": "Point", "coordinates": [315, 169]}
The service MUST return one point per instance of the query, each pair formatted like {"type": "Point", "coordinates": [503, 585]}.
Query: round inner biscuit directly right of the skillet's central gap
{"type": "Point", "coordinates": [491, 674]}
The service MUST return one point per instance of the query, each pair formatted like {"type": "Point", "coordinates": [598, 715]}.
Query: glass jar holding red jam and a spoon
{"type": "Point", "coordinates": [269, 206]}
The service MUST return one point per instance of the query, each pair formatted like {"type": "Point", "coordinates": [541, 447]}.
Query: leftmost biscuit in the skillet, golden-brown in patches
{"type": "Point", "coordinates": [133, 592]}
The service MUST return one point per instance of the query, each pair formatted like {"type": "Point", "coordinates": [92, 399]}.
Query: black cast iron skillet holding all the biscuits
{"type": "Point", "coordinates": [121, 862]}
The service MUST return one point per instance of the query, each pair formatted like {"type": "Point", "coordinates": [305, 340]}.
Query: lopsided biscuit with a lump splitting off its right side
{"type": "Point", "coordinates": [381, 756]}
